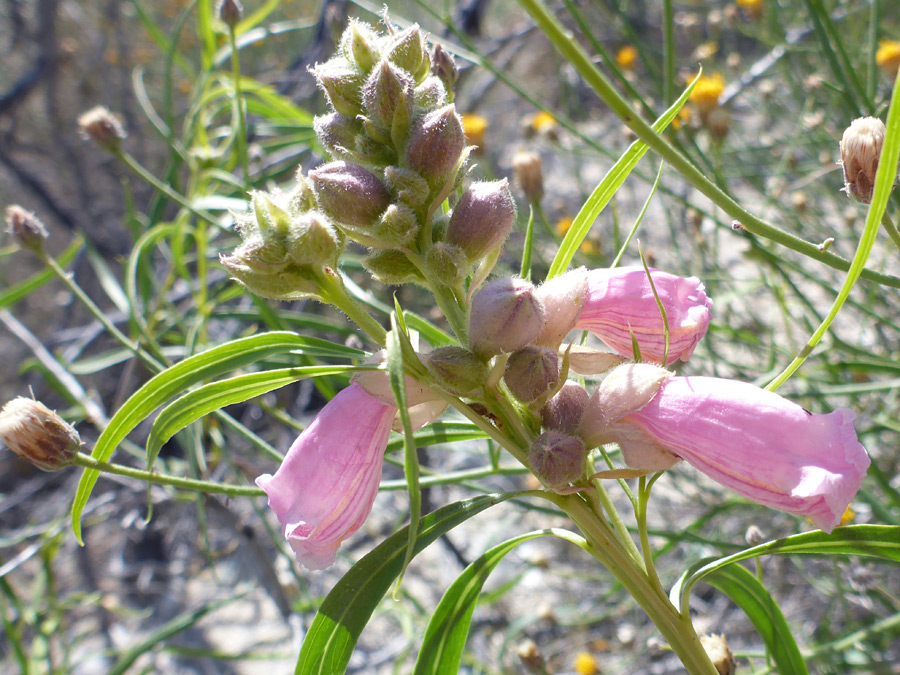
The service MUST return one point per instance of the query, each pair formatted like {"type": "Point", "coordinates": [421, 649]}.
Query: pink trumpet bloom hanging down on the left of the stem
{"type": "Point", "coordinates": [325, 487]}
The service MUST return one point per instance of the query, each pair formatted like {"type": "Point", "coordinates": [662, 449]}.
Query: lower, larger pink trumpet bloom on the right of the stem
{"type": "Point", "coordinates": [757, 443]}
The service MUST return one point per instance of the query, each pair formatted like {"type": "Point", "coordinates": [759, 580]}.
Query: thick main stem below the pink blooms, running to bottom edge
{"type": "Point", "coordinates": [675, 627]}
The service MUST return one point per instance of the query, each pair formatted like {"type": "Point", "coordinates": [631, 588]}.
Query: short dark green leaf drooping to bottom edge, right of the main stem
{"type": "Point", "coordinates": [751, 596]}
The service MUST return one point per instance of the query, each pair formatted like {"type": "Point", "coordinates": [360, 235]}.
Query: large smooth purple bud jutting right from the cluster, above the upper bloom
{"type": "Point", "coordinates": [482, 218]}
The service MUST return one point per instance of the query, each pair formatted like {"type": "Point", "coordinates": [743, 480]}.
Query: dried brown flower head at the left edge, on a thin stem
{"type": "Point", "coordinates": [36, 433]}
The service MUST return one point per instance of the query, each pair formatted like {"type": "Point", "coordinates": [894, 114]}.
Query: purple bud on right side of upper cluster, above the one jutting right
{"type": "Point", "coordinates": [436, 145]}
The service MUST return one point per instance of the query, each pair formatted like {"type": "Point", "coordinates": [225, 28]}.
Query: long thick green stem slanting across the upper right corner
{"type": "Point", "coordinates": [570, 48]}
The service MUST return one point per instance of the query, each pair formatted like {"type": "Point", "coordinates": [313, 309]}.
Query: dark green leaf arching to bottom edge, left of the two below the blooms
{"type": "Point", "coordinates": [346, 610]}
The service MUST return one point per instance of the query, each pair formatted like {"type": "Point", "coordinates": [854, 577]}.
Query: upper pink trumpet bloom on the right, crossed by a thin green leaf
{"type": "Point", "coordinates": [621, 302]}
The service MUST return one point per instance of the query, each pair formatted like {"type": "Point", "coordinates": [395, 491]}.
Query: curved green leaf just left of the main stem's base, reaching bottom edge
{"type": "Point", "coordinates": [445, 636]}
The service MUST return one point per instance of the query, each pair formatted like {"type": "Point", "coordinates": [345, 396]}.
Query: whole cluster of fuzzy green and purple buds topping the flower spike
{"type": "Point", "coordinates": [398, 150]}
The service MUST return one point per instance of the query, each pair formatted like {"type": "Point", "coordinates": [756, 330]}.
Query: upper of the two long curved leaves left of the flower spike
{"type": "Point", "coordinates": [172, 381]}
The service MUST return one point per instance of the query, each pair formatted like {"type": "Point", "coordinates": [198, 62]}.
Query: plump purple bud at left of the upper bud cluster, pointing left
{"type": "Point", "coordinates": [350, 194]}
